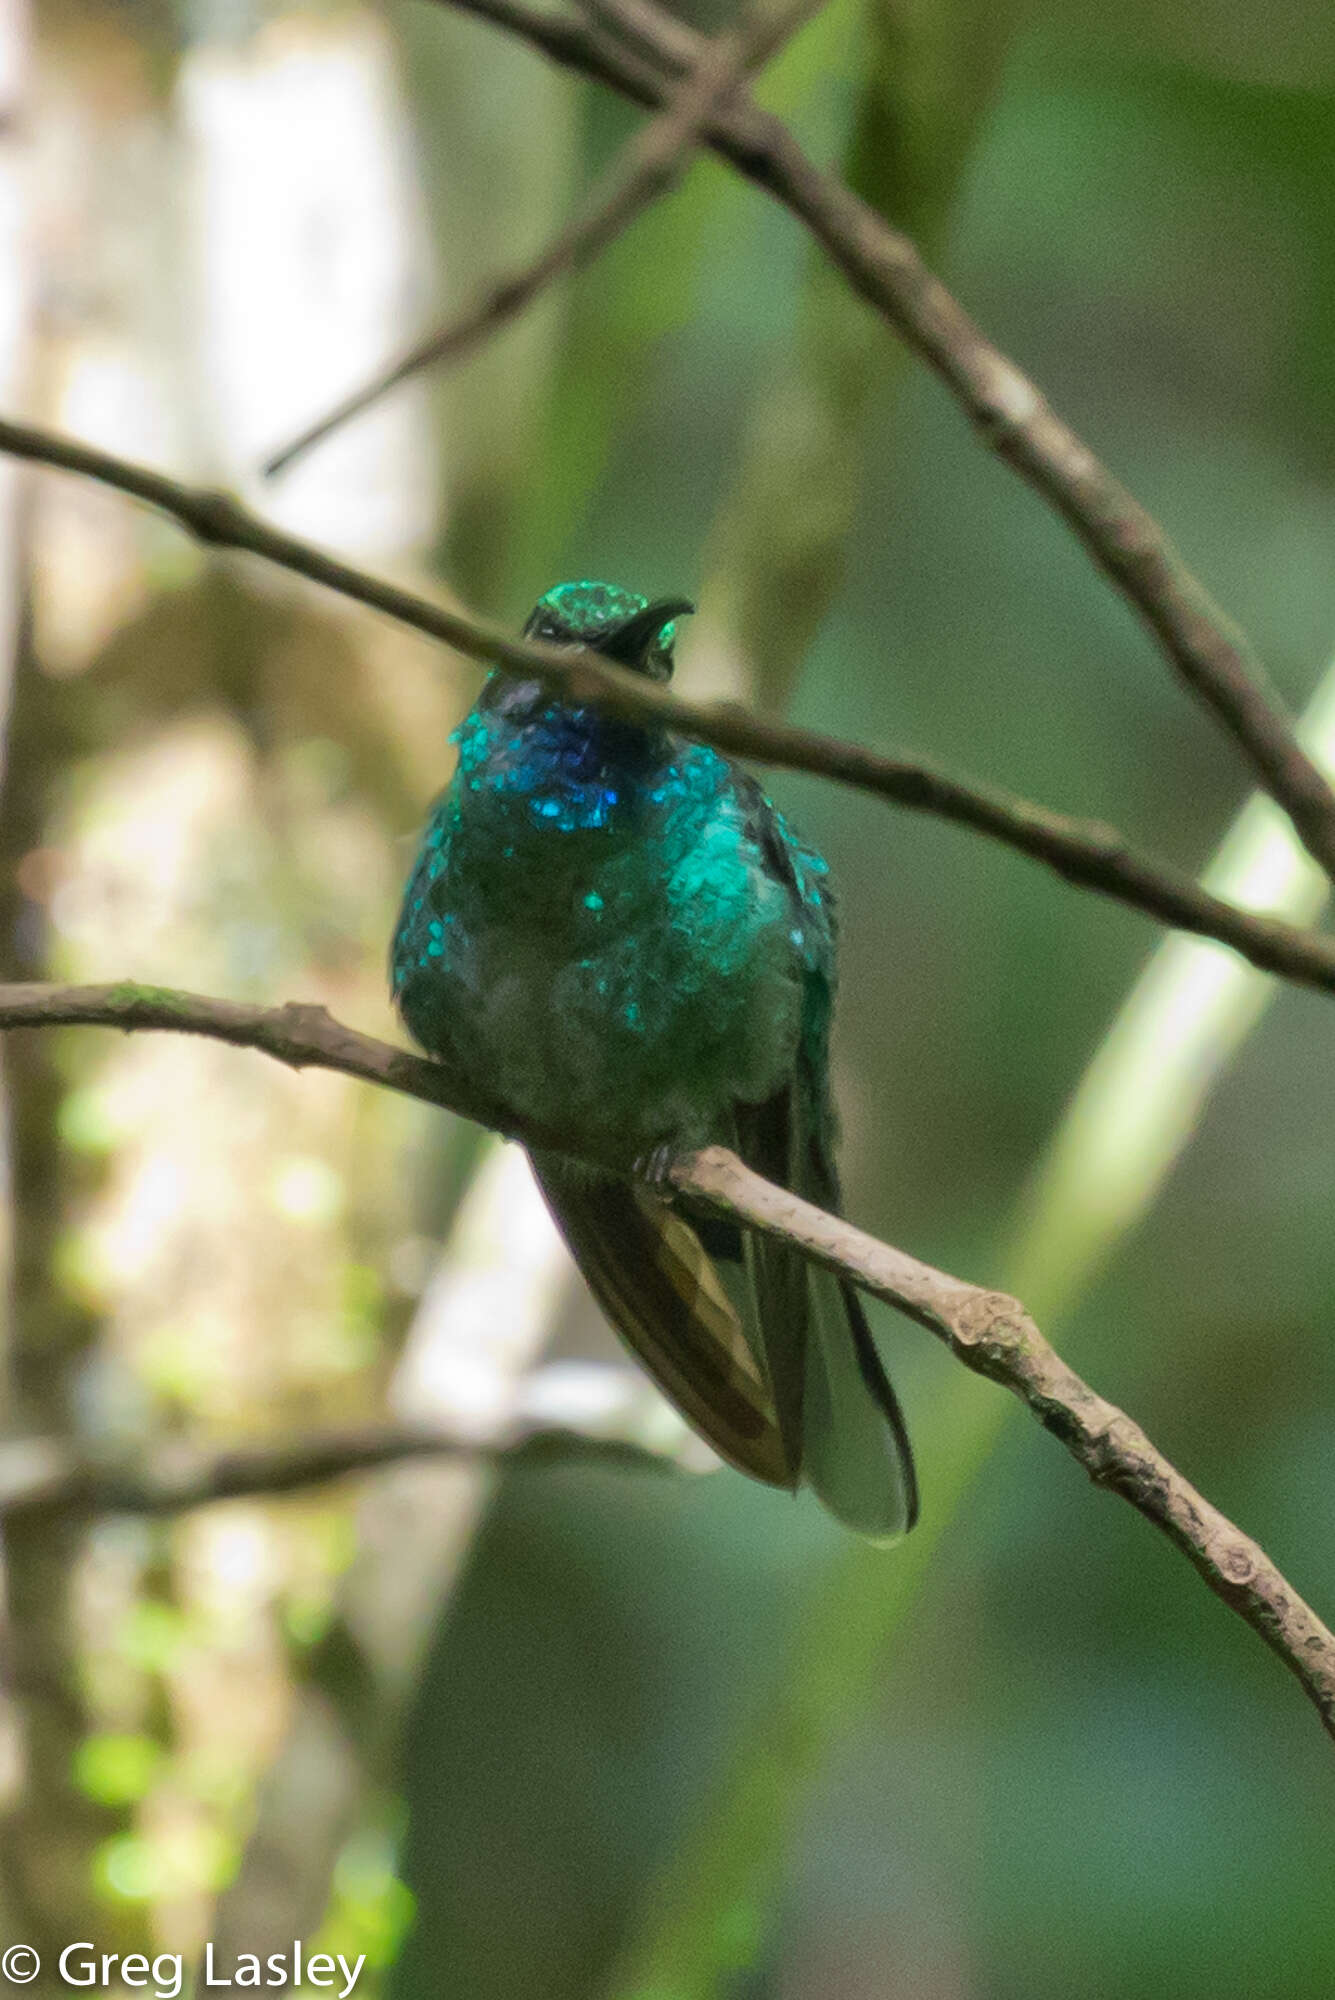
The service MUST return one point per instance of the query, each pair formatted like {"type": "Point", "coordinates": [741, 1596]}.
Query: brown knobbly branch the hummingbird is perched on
{"type": "Point", "coordinates": [988, 1331]}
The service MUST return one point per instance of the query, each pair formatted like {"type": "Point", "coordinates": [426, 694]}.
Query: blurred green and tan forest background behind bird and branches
{"type": "Point", "coordinates": [585, 1733]}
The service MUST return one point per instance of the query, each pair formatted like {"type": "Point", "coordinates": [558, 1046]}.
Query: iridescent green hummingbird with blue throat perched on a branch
{"type": "Point", "coordinates": [623, 935]}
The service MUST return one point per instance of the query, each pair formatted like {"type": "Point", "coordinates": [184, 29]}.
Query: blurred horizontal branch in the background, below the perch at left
{"type": "Point", "coordinates": [47, 1477]}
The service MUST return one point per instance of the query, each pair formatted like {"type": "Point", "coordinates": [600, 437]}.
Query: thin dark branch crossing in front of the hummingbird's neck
{"type": "Point", "coordinates": [1084, 853]}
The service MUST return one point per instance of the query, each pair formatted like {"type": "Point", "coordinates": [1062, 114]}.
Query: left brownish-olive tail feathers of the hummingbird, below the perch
{"type": "Point", "coordinates": [653, 1277]}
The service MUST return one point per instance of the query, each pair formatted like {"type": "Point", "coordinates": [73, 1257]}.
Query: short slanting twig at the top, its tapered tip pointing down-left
{"type": "Point", "coordinates": [647, 169]}
